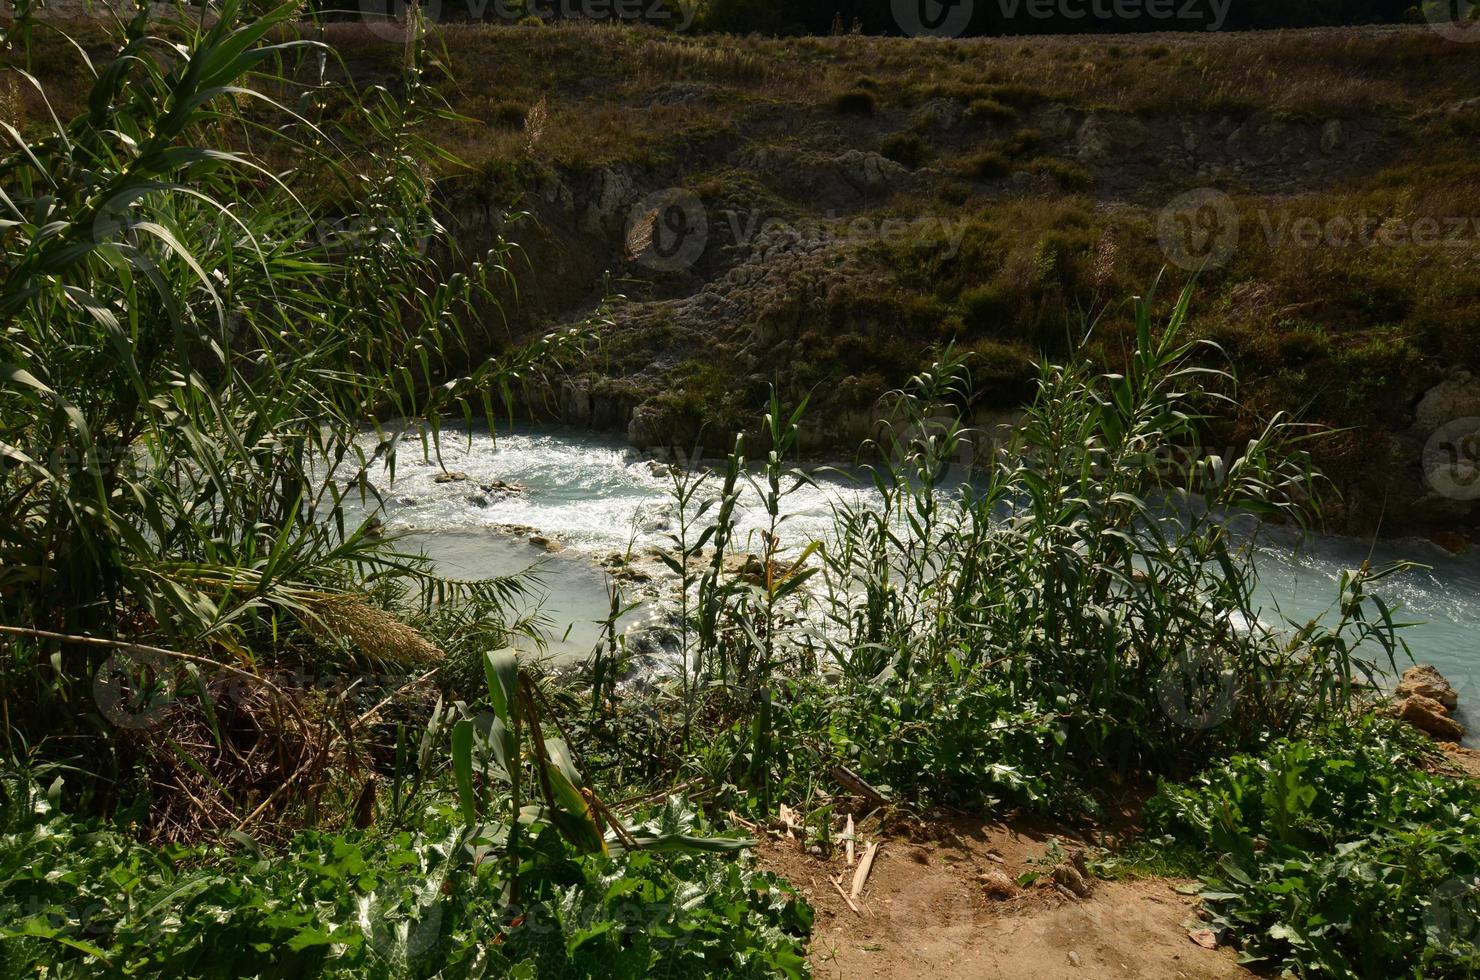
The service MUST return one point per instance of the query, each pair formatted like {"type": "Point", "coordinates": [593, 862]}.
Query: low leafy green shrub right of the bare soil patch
{"type": "Point", "coordinates": [1339, 856]}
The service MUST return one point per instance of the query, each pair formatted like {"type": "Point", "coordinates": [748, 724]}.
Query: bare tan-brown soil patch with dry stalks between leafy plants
{"type": "Point", "coordinates": [927, 913]}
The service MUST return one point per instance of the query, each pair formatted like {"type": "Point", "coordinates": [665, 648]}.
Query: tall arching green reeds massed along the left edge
{"type": "Point", "coordinates": [208, 294]}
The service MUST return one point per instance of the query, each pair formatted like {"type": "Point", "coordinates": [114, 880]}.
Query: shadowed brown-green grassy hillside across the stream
{"type": "Point", "coordinates": [867, 201]}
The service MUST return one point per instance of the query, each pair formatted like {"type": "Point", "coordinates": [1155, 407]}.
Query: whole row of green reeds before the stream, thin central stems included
{"type": "Point", "coordinates": [1074, 594]}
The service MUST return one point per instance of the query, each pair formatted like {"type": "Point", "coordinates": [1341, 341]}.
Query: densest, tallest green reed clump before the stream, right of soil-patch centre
{"type": "Point", "coordinates": [1090, 563]}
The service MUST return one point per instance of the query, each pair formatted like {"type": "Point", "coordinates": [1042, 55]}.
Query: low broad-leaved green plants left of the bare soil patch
{"type": "Point", "coordinates": [85, 899]}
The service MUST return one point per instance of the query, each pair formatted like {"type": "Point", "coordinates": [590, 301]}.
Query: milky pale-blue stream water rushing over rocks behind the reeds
{"type": "Point", "coordinates": [594, 495]}
